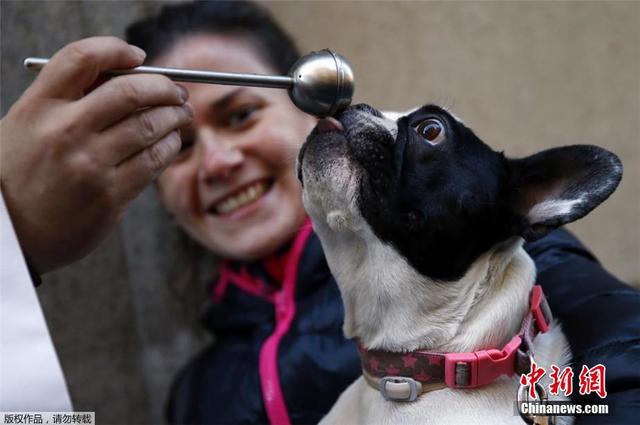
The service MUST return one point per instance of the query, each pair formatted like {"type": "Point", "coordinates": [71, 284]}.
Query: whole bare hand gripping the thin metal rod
{"type": "Point", "coordinates": [74, 155]}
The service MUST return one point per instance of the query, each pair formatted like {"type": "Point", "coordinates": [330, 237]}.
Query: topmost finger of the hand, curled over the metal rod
{"type": "Point", "coordinates": [75, 67]}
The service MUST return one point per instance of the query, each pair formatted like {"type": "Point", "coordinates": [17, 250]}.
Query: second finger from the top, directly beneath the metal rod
{"type": "Point", "coordinates": [121, 96]}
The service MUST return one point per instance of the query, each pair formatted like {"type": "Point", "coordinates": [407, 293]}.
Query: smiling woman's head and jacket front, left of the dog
{"type": "Point", "coordinates": [234, 190]}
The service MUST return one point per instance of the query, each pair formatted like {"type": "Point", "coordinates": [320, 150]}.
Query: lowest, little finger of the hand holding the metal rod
{"type": "Point", "coordinates": [138, 171]}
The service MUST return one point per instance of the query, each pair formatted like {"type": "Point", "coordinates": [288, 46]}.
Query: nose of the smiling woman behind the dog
{"type": "Point", "coordinates": [219, 159]}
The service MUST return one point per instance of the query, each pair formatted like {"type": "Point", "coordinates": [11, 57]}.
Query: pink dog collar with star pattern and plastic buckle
{"type": "Point", "coordinates": [404, 376]}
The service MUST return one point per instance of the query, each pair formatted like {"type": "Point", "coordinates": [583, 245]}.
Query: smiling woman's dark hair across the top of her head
{"type": "Point", "coordinates": [245, 19]}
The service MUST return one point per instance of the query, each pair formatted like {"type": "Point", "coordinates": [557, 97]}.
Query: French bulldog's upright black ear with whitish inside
{"type": "Point", "coordinates": [560, 185]}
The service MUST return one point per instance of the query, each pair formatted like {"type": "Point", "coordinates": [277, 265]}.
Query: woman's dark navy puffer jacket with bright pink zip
{"type": "Point", "coordinates": [280, 354]}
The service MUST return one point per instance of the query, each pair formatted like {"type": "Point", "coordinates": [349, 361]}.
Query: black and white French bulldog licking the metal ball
{"type": "Point", "coordinates": [422, 225]}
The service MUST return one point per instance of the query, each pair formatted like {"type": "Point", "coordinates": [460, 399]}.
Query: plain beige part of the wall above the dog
{"type": "Point", "coordinates": [524, 76]}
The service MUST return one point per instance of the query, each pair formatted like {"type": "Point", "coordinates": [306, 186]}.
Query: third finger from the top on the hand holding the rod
{"type": "Point", "coordinates": [141, 130]}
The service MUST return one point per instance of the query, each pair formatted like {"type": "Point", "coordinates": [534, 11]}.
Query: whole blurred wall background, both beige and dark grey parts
{"type": "Point", "coordinates": [525, 76]}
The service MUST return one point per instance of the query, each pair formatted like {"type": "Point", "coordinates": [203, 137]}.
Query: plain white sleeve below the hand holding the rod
{"type": "Point", "coordinates": [30, 375]}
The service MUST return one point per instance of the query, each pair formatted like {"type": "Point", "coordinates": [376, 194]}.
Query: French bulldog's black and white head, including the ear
{"type": "Point", "coordinates": [427, 186]}
